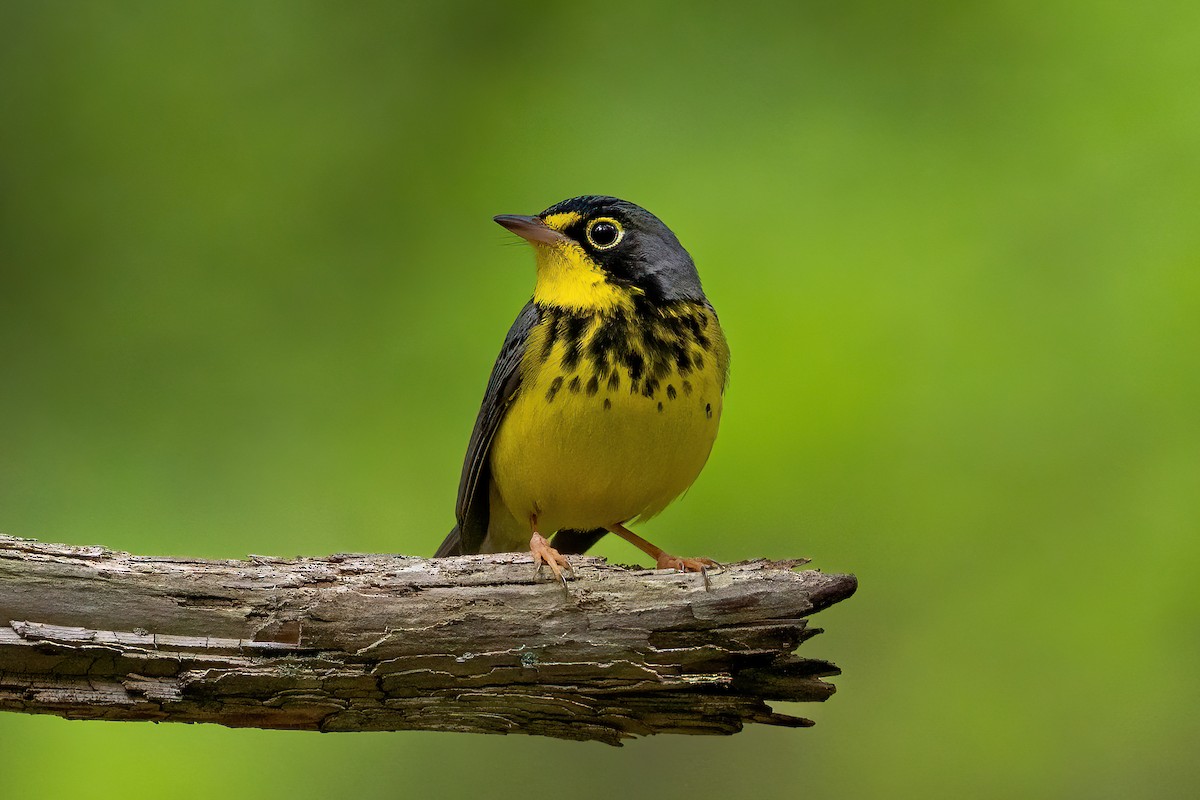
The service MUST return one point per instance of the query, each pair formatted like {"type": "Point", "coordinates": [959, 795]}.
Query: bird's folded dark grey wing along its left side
{"type": "Point", "coordinates": [471, 510]}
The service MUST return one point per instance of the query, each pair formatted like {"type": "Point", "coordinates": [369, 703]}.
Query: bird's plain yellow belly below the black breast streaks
{"type": "Point", "coordinates": [589, 454]}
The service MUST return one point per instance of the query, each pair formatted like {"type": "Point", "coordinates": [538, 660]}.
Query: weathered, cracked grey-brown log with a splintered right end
{"type": "Point", "coordinates": [403, 643]}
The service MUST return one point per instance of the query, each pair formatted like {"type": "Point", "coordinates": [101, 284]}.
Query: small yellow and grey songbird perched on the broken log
{"type": "Point", "coordinates": [607, 396]}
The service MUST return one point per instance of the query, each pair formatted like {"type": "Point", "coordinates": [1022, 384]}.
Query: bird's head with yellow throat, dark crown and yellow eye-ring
{"type": "Point", "coordinates": [598, 254]}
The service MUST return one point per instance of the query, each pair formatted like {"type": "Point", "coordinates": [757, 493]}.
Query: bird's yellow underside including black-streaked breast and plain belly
{"type": "Point", "coordinates": [616, 417]}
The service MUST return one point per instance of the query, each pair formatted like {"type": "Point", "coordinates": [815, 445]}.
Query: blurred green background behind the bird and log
{"type": "Point", "coordinates": [251, 291]}
